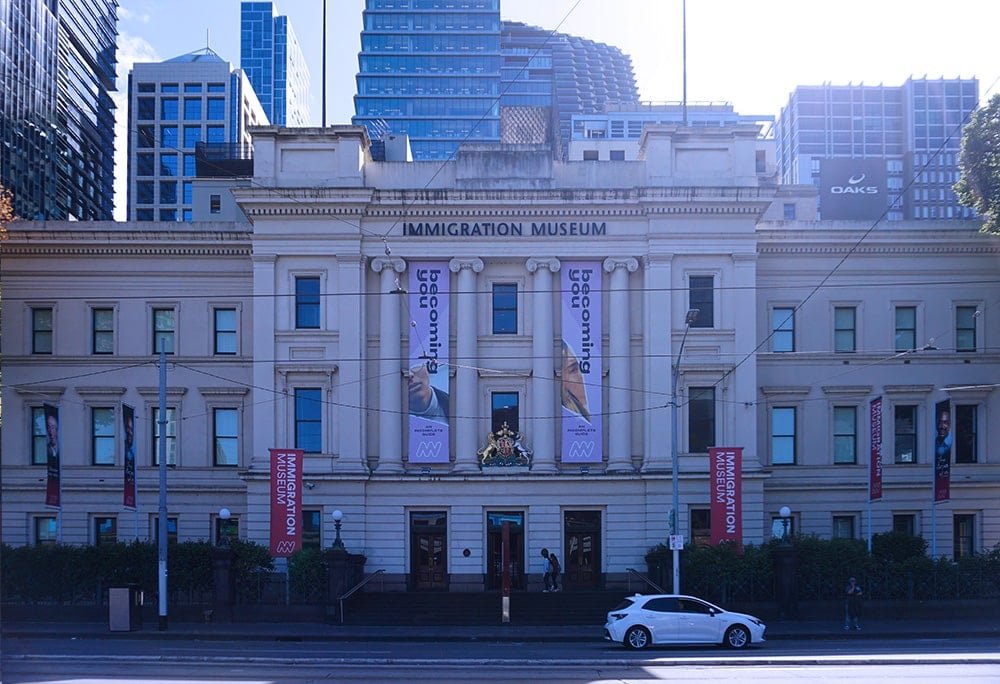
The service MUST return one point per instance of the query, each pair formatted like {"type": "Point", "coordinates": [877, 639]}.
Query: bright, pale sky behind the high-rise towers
{"type": "Point", "coordinates": [751, 53]}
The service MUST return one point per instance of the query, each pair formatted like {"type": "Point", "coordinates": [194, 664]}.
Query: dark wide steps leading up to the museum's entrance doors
{"type": "Point", "coordinates": [443, 608]}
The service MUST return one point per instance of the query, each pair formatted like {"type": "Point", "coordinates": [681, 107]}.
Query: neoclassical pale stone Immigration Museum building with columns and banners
{"type": "Point", "coordinates": [505, 339]}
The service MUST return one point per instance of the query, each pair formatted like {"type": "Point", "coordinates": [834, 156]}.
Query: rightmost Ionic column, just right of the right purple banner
{"type": "Point", "coordinates": [619, 334]}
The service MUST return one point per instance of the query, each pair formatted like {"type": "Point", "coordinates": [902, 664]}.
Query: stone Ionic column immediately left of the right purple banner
{"type": "Point", "coordinates": [543, 381]}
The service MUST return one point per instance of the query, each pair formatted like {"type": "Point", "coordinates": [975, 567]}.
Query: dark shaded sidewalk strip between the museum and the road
{"type": "Point", "coordinates": [311, 631]}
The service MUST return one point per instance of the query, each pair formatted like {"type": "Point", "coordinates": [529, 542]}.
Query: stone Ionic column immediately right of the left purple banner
{"type": "Point", "coordinates": [465, 401]}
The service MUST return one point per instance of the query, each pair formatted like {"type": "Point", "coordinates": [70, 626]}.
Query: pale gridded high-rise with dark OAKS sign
{"type": "Point", "coordinates": [878, 149]}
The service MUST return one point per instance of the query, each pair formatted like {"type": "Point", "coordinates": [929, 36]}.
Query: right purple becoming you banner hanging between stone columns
{"type": "Point", "coordinates": [582, 399]}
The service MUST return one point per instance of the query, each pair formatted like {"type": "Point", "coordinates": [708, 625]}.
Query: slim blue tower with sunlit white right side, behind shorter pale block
{"type": "Point", "coordinates": [272, 59]}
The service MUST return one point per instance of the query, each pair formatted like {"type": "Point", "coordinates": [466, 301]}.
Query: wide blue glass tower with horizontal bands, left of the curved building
{"type": "Point", "coordinates": [430, 69]}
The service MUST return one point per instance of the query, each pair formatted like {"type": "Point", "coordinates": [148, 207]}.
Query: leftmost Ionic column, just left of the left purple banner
{"type": "Point", "coordinates": [390, 384]}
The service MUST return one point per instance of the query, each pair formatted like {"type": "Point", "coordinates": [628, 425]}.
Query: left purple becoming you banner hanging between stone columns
{"type": "Point", "coordinates": [429, 405]}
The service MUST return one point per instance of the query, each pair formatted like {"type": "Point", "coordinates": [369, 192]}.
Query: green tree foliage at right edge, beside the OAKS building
{"type": "Point", "coordinates": [979, 186]}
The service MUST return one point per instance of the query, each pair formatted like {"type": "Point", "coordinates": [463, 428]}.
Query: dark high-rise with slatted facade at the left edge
{"type": "Point", "coordinates": [57, 67]}
